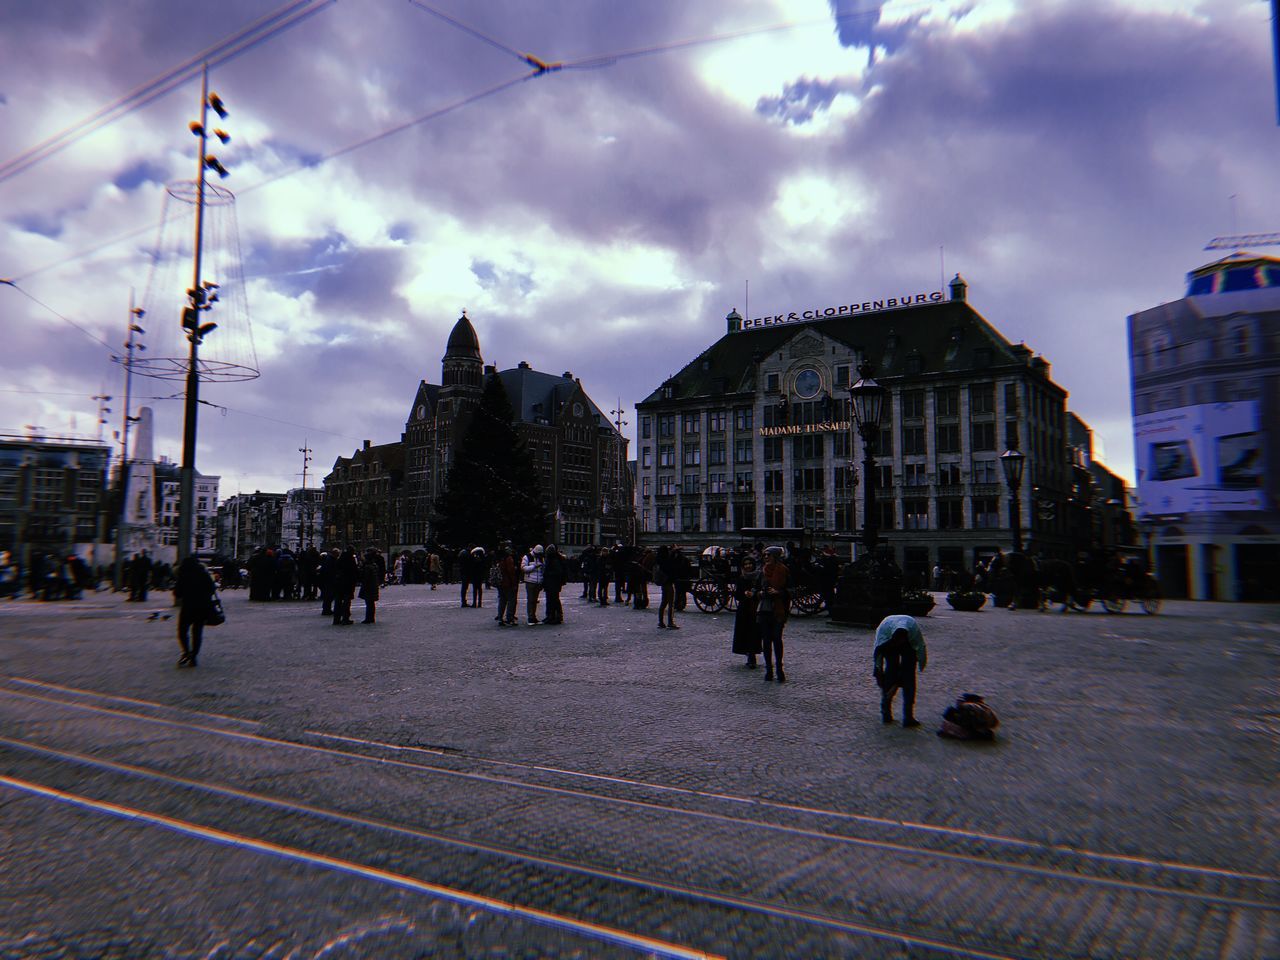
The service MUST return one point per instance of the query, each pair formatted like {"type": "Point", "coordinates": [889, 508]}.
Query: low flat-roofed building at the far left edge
{"type": "Point", "coordinates": [53, 497]}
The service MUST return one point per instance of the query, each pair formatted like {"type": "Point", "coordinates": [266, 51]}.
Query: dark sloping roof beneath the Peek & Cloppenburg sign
{"type": "Point", "coordinates": [945, 337]}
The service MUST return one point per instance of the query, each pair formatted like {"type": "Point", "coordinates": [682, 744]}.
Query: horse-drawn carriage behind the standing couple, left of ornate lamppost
{"type": "Point", "coordinates": [720, 569]}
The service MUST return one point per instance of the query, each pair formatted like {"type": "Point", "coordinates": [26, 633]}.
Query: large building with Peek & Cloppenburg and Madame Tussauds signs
{"type": "Point", "coordinates": [757, 433]}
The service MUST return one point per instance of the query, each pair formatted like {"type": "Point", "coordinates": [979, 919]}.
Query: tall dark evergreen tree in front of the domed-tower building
{"type": "Point", "coordinates": [492, 492]}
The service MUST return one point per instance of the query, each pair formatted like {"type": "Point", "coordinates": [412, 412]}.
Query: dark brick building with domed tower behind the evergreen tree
{"type": "Point", "coordinates": [579, 455]}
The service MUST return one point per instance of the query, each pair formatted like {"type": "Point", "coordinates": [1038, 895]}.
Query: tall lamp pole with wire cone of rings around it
{"type": "Point", "coordinates": [232, 358]}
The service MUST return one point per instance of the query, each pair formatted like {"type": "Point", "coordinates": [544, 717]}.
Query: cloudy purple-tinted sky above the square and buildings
{"type": "Point", "coordinates": [1069, 159]}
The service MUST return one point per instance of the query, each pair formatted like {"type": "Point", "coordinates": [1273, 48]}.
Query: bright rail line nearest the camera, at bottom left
{"type": "Point", "coordinates": [499, 907]}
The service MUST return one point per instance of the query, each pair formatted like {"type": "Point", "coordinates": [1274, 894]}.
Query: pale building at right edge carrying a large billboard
{"type": "Point", "coordinates": [1205, 374]}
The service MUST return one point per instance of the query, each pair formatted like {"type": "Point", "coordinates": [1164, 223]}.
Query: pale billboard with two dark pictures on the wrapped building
{"type": "Point", "coordinates": [1209, 458]}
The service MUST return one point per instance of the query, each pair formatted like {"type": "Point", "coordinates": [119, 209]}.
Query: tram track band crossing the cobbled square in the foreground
{"type": "Point", "coordinates": [1203, 902]}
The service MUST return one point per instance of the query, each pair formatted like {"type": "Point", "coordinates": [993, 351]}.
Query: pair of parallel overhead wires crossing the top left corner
{"type": "Point", "coordinates": [221, 53]}
